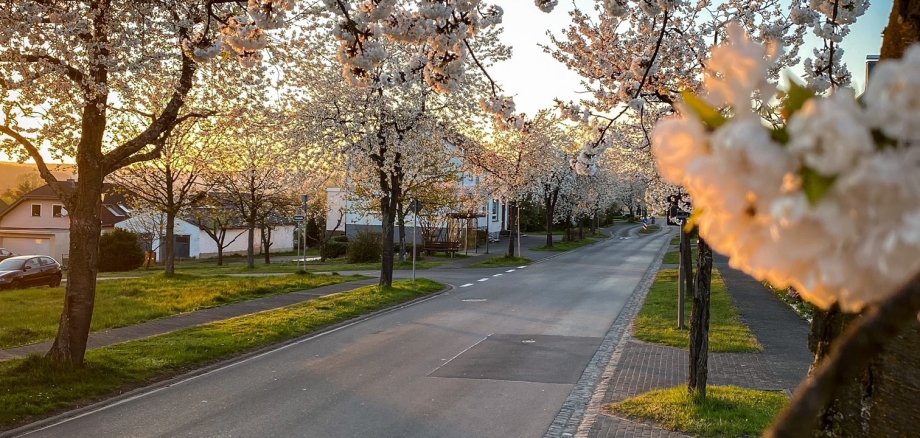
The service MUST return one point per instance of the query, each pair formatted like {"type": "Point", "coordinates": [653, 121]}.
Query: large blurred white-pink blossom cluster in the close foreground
{"type": "Point", "coordinates": [833, 211]}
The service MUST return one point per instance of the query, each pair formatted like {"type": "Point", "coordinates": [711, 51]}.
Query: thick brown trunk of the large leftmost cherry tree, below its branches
{"type": "Point", "coordinates": [69, 345]}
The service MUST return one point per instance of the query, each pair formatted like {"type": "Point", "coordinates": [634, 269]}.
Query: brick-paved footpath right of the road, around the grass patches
{"type": "Point", "coordinates": [637, 367]}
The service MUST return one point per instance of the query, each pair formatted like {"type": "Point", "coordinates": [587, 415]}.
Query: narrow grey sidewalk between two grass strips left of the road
{"type": "Point", "coordinates": [184, 320]}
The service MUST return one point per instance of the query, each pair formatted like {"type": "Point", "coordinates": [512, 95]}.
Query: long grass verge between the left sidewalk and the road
{"type": "Point", "coordinates": [33, 387]}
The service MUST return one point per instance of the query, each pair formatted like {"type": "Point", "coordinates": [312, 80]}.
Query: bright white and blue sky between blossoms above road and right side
{"type": "Point", "coordinates": [534, 78]}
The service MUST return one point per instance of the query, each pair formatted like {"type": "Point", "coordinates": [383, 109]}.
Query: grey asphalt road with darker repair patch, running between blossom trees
{"type": "Point", "coordinates": [494, 357]}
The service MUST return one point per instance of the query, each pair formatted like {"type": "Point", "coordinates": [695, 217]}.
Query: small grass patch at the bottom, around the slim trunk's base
{"type": "Point", "coordinates": [727, 411]}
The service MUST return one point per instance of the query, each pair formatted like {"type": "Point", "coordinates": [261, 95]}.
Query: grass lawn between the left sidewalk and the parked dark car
{"type": "Point", "coordinates": [31, 315]}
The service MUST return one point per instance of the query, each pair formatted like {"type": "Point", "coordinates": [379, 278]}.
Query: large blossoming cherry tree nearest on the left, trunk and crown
{"type": "Point", "coordinates": [74, 74]}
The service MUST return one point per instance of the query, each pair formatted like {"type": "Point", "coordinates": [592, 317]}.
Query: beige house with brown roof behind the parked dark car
{"type": "Point", "coordinates": [37, 223]}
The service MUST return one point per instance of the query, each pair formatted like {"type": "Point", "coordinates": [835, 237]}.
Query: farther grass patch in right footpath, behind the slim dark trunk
{"type": "Point", "coordinates": [657, 321]}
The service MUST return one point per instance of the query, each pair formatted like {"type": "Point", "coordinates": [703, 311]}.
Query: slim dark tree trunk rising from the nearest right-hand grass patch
{"type": "Point", "coordinates": [699, 322]}
